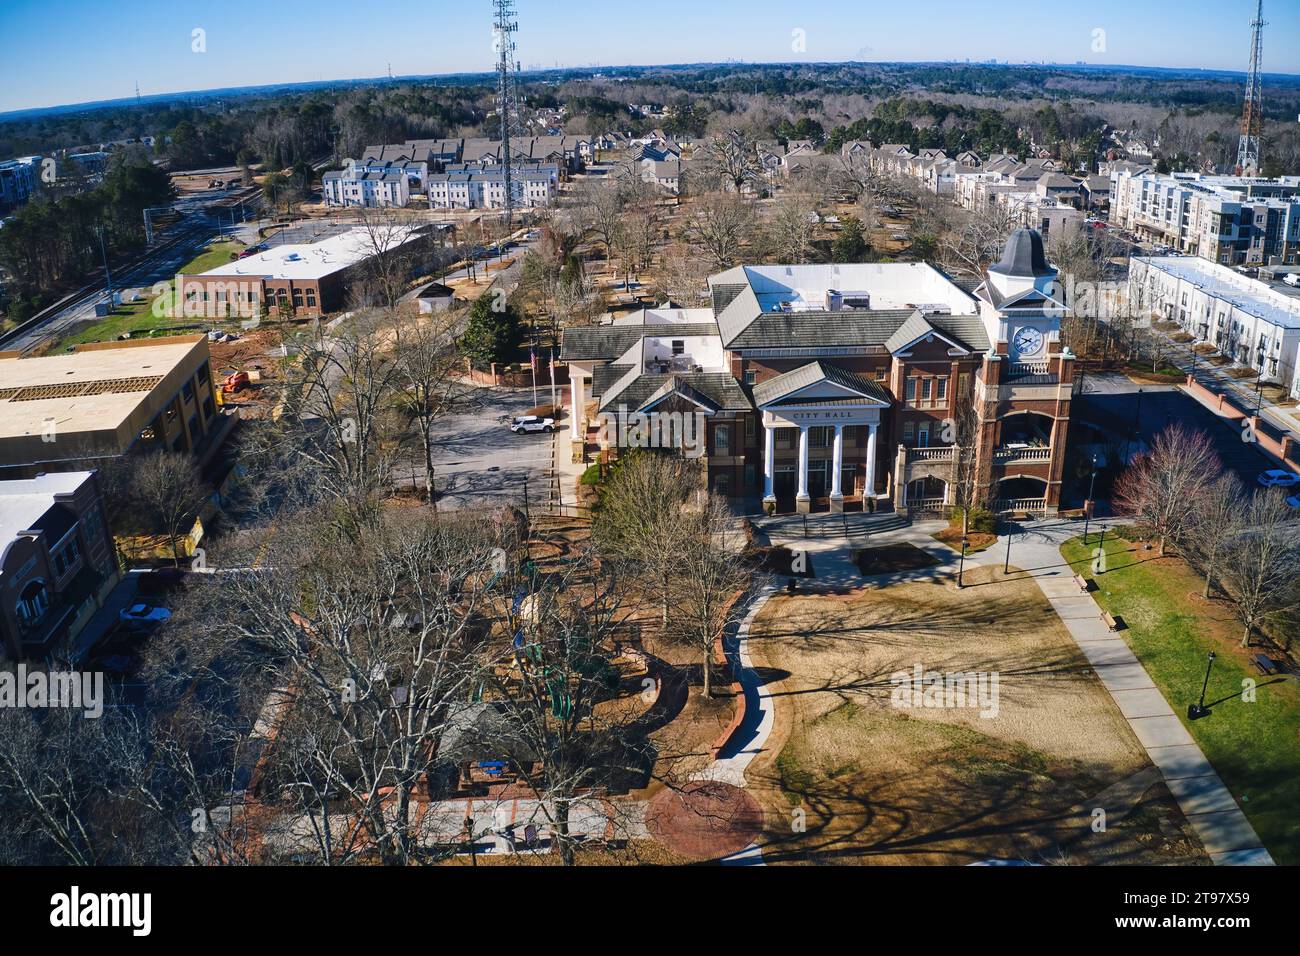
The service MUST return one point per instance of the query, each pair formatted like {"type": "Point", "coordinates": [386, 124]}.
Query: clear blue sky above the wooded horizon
{"type": "Point", "coordinates": [72, 51]}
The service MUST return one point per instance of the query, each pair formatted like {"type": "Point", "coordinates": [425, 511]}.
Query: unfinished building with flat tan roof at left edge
{"type": "Point", "coordinates": [107, 400]}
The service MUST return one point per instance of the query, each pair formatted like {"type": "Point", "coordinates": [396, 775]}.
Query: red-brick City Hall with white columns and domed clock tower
{"type": "Point", "coordinates": [847, 387]}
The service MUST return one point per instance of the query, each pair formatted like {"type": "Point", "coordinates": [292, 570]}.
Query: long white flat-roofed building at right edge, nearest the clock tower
{"type": "Point", "coordinates": [1251, 321]}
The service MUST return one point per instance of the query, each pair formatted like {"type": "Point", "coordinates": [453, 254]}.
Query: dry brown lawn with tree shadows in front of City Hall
{"type": "Point", "coordinates": [878, 784]}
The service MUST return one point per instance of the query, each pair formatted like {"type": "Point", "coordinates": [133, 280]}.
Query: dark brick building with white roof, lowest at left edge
{"type": "Point", "coordinates": [57, 561]}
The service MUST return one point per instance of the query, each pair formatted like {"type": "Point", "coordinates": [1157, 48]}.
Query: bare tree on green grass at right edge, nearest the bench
{"type": "Point", "coordinates": [1260, 568]}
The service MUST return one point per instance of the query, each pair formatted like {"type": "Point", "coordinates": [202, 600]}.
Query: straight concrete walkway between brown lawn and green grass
{"type": "Point", "coordinates": [1208, 806]}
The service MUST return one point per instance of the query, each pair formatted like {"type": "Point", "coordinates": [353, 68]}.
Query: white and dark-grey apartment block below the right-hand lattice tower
{"type": "Point", "coordinates": [1225, 219]}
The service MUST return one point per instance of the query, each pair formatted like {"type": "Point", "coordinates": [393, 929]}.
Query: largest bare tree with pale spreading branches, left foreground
{"type": "Point", "coordinates": [374, 642]}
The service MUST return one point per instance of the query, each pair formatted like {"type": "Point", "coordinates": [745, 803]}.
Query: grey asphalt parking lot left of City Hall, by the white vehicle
{"type": "Point", "coordinates": [480, 461]}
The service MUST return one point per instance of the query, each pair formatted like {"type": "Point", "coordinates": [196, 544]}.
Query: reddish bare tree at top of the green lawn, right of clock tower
{"type": "Point", "coordinates": [1162, 488]}
